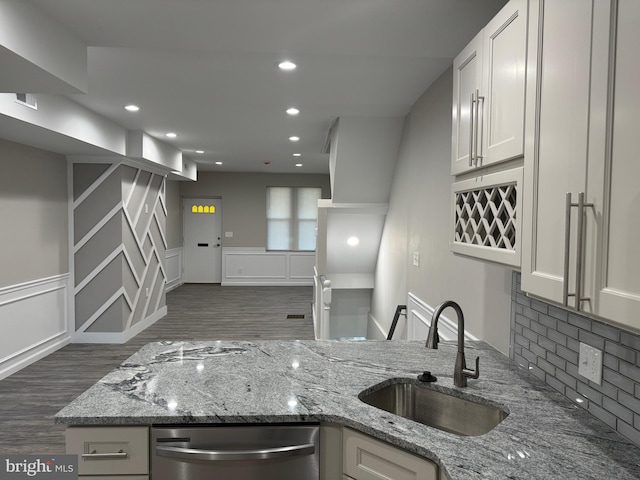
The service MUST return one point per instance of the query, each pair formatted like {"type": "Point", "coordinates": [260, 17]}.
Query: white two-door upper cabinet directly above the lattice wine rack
{"type": "Point", "coordinates": [489, 93]}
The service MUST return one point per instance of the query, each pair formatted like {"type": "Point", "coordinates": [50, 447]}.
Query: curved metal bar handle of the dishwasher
{"type": "Point", "coordinates": [220, 455]}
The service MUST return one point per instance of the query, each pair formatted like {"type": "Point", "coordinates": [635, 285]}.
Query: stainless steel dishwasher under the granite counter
{"type": "Point", "coordinates": [239, 452]}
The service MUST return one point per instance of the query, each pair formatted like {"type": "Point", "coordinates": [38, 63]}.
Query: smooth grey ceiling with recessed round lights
{"type": "Point", "coordinates": [207, 69]}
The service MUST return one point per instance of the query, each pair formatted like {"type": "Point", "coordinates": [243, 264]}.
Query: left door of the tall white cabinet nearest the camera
{"type": "Point", "coordinates": [556, 144]}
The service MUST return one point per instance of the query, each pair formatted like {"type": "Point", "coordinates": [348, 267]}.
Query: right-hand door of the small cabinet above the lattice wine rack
{"type": "Point", "coordinates": [503, 85]}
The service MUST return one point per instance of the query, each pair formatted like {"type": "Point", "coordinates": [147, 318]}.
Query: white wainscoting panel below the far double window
{"type": "Point", "coordinates": [255, 266]}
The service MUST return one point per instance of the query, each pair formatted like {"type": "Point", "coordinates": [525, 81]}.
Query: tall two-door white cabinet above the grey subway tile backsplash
{"type": "Point", "coordinates": [581, 225]}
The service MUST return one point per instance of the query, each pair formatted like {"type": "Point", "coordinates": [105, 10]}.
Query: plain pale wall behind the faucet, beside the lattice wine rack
{"type": "Point", "coordinates": [419, 221]}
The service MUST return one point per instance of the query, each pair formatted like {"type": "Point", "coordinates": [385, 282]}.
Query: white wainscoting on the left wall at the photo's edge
{"type": "Point", "coordinates": [33, 319]}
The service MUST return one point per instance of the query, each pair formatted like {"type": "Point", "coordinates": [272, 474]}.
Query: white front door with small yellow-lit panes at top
{"type": "Point", "coordinates": [202, 237]}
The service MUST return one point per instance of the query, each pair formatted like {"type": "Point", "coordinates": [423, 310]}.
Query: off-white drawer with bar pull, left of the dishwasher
{"type": "Point", "coordinates": [110, 450]}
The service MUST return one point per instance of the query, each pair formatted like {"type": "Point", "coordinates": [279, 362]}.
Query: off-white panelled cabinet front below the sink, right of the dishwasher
{"type": "Point", "coordinates": [368, 459]}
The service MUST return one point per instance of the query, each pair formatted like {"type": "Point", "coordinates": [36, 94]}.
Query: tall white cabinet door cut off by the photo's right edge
{"type": "Point", "coordinates": [613, 226]}
